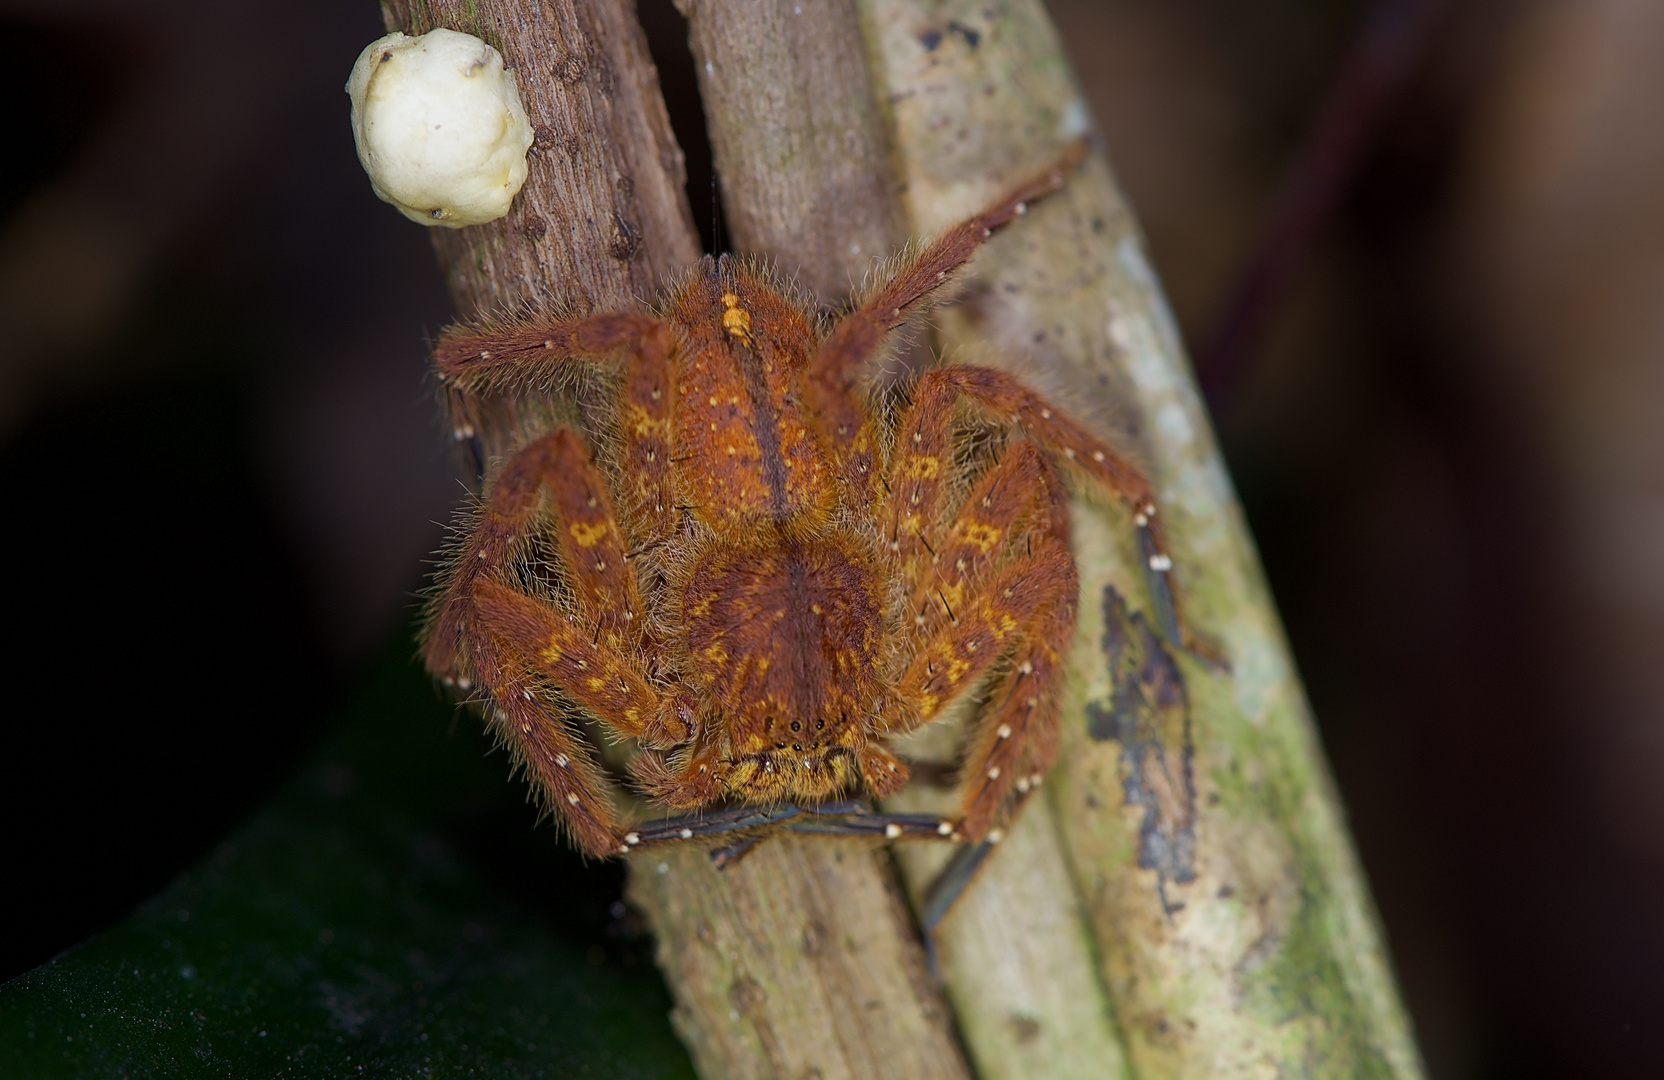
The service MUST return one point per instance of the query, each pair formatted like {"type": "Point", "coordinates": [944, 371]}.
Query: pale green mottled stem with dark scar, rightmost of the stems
{"type": "Point", "coordinates": [1232, 926]}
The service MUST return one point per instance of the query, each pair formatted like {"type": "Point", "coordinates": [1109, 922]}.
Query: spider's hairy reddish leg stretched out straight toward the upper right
{"type": "Point", "coordinates": [833, 382]}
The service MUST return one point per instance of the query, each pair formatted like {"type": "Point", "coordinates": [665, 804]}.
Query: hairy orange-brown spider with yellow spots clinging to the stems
{"type": "Point", "coordinates": [770, 570]}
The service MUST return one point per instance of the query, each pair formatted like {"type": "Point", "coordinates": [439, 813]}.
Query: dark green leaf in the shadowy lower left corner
{"type": "Point", "coordinates": [392, 913]}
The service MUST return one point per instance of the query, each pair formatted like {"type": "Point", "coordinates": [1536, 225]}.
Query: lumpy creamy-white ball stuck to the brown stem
{"type": "Point", "coordinates": [440, 127]}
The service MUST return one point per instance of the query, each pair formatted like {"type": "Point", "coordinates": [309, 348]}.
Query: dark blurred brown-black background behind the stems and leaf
{"type": "Point", "coordinates": [1417, 249]}
